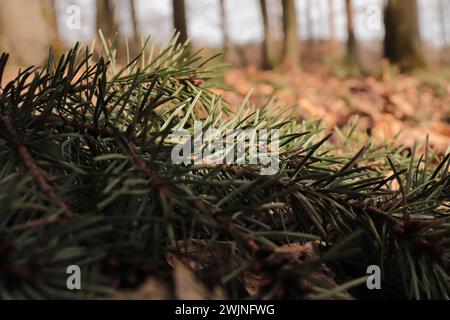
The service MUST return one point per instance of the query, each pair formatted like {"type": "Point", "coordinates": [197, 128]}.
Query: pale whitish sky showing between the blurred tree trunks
{"type": "Point", "coordinates": [244, 21]}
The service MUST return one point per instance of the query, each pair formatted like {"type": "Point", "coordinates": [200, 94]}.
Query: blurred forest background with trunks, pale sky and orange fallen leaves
{"type": "Point", "coordinates": [386, 62]}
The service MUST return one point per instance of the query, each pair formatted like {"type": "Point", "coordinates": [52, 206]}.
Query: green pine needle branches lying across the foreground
{"type": "Point", "coordinates": [86, 178]}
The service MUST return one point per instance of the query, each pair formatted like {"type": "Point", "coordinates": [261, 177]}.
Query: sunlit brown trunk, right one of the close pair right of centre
{"type": "Point", "coordinates": [291, 42]}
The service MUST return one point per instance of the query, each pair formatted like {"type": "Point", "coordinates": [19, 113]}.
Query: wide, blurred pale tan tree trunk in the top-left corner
{"type": "Point", "coordinates": [26, 31]}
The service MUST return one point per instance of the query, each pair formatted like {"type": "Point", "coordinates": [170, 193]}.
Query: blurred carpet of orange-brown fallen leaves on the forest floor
{"type": "Point", "coordinates": [389, 105]}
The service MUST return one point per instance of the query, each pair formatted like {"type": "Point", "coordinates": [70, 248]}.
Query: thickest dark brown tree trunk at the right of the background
{"type": "Point", "coordinates": [402, 43]}
